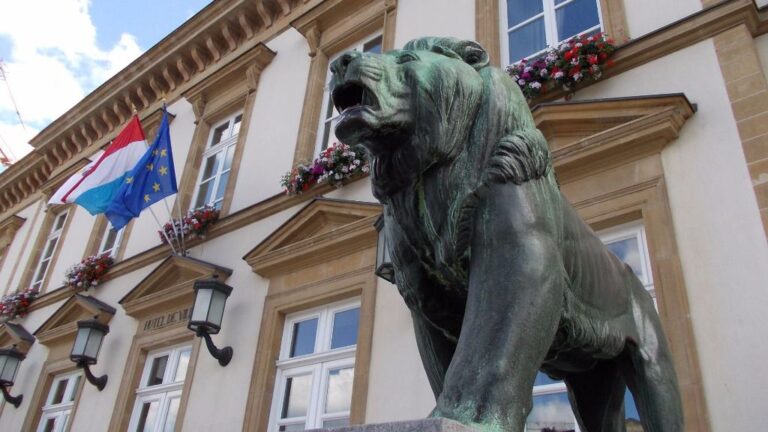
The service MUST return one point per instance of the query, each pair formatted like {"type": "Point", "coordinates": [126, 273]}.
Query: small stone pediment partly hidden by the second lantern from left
{"type": "Point", "coordinates": [63, 322]}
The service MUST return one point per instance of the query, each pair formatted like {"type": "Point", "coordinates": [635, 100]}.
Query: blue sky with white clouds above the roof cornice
{"type": "Point", "coordinates": [55, 52]}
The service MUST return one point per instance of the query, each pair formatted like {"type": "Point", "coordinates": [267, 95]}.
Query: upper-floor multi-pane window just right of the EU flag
{"type": "Point", "coordinates": [217, 162]}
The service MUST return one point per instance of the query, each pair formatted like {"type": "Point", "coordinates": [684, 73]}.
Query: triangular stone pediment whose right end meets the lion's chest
{"type": "Point", "coordinates": [323, 229]}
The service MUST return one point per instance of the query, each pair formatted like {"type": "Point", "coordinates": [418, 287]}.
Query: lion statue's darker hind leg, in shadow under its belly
{"type": "Point", "coordinates": [597, 398]}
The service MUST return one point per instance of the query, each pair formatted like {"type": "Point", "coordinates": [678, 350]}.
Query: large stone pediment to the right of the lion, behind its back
{"type": "Point", "coordinates": [589, 135]}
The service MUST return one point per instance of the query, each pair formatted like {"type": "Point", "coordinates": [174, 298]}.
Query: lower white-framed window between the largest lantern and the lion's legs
{"type": "Point", "coordinates": [315, 369]}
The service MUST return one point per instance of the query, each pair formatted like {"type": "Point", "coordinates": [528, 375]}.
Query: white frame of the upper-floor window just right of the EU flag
{"type": "Point", "coordinates": [227, 144]}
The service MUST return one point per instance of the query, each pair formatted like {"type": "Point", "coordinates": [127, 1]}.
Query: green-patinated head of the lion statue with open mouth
{"type": "Point", "coordinates": [436, 101]}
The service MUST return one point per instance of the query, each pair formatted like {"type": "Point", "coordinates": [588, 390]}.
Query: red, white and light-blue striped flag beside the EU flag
{"type": "Point", "coordinates": [94, 187]}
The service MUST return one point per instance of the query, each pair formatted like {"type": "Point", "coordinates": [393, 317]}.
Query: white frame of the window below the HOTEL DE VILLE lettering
{"type": "Point", "coordinates": [163, 393]}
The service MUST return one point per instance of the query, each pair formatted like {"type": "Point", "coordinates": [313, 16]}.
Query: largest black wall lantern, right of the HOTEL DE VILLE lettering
{"type": "Point", "coordinates": [207, 314]}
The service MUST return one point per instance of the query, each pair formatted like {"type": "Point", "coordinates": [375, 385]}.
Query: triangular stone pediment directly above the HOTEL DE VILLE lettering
{"type": "Point", "coordinates": [170, 283]}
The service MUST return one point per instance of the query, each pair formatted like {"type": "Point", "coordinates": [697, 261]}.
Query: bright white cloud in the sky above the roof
{"type": "Point", "coordinates": [55, 61]}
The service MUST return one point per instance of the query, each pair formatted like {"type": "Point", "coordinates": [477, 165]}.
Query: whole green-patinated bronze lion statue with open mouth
{"type": "Point", "coordinates": [502, 276]}
